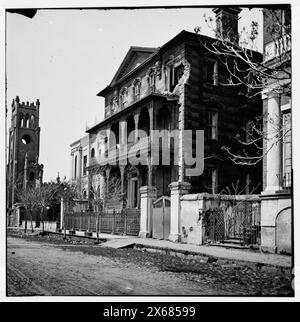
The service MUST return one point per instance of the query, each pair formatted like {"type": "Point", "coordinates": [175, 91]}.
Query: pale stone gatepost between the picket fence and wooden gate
{"type": "Point", "coordinates": [147, 194]}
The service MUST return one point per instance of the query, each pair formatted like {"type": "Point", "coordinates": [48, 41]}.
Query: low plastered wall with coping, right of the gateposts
{"type": "Point", "coordinates": [193, 230]}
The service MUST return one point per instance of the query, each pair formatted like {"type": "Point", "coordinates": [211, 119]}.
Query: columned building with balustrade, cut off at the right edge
{"type": "Point", "coordinates": [276, 199]}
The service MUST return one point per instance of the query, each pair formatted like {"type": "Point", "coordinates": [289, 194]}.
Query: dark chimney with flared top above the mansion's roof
{"type": "Point", "coordinates": [227, 23]}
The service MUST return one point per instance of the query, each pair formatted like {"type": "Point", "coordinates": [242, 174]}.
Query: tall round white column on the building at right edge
{"type": "Point", "coordinates": [273, 143]}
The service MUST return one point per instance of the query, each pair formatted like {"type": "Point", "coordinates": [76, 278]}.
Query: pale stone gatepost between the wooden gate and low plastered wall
{"type": "Point", "coordinates": [178, 189]}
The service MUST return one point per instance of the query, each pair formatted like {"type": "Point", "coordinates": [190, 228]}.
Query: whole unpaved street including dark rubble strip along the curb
{"type": "Point", "coordinates": [40, 268]}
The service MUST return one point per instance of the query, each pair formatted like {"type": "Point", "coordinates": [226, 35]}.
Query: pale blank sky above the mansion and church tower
{"type": "Point", "coordinates": [65, 57]}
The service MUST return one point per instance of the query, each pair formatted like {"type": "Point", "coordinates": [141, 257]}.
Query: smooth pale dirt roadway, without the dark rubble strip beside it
{"type": "Point", "coordinates": [41, 269]}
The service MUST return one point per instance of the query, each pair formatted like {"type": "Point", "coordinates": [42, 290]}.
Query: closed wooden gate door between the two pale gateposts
{"type": "Point", "coordinates": [161, 218]}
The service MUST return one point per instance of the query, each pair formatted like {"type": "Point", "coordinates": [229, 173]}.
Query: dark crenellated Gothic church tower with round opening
{"type": "Point", "coordinates": [23, 155]}
